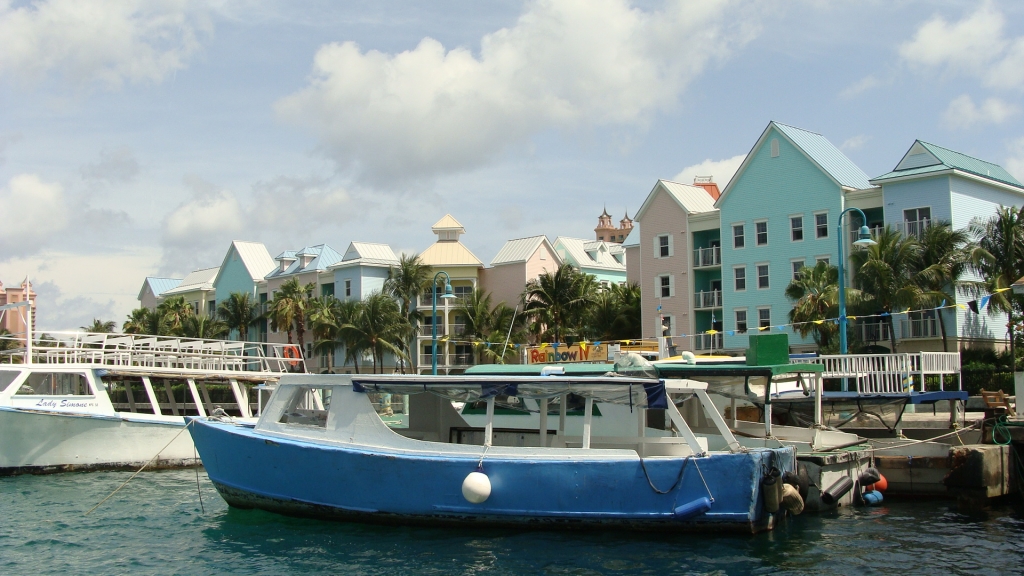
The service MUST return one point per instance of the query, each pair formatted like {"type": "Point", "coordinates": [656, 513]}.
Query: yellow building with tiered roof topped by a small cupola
{"type": "Point", "coordinates": [448, 255]}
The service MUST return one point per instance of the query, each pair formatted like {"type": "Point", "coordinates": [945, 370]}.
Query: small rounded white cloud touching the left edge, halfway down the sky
{"type": "Point", "coordinates": [34, 213]}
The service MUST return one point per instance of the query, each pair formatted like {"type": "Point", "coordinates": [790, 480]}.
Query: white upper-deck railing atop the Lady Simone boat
{"type": "Point", "coordinates": [158, 352]}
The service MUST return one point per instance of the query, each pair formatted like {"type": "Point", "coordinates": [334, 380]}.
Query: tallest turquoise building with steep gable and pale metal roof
{"type": "Point", "coordinates": [779, 215]}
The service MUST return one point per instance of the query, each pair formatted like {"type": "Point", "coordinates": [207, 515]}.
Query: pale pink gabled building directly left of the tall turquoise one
{"type": "Point", "coordinates": [680, 259]}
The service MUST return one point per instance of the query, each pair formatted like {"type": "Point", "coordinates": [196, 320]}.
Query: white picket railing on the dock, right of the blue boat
{"type": "Point", "coordinates": [888, 374]}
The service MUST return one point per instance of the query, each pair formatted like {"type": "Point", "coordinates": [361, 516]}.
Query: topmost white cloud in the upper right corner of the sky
{"type": "Point", "coordinates": [963, 47]}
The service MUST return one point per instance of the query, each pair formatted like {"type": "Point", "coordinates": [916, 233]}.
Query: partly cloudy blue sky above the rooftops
{"type": "Point", "coordinates": [140, 139]}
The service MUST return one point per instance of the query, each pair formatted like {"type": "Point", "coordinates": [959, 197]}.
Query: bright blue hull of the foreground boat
{"type": "Point", "coordinates": [359, 483]}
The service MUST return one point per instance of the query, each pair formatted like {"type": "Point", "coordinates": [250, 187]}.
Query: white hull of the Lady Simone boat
{"type": "Point", "coordinates": [37, 442]}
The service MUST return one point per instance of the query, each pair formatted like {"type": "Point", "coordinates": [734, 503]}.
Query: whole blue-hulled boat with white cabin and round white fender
{"type": "Point", "coordinates": [321, 449]}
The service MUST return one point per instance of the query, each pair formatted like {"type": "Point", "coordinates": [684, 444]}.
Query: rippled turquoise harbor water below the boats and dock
{"type": "Point", "coordinates": [156, 526]}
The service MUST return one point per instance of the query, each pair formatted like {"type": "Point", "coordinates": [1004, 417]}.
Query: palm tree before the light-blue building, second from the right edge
{"type": "Point", "coordinates": [945, 262]}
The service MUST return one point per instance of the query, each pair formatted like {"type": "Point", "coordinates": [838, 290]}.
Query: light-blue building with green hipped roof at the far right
{"type": "Point", "coordinates": [930, 185]}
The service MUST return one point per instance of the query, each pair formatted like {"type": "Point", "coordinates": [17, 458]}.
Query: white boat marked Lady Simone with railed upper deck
{"type": "Point", "coordinates": [84, 401]}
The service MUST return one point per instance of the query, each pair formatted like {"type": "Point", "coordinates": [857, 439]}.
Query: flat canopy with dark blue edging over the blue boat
{"type": "Point", "coordinates": [643, 393]}
